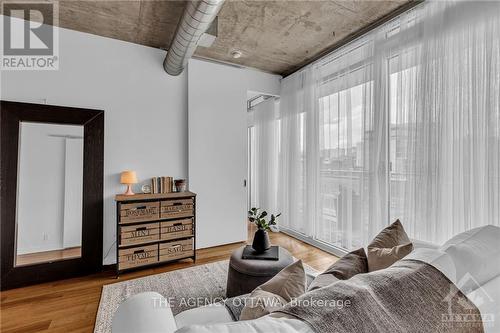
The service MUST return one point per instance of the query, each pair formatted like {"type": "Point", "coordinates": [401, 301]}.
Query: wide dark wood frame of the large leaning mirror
{"type": "Point", "coordinates": [12, 113]}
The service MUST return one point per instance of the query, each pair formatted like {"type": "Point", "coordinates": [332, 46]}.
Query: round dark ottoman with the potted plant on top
{"type": "Point", "coordinates": [245, 275]}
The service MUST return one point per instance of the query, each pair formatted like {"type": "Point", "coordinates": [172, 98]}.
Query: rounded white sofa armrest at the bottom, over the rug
{"type": "Point", "coordinates": [146, 313]}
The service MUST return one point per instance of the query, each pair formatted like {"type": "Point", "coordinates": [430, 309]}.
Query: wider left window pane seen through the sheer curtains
{"type": "Point", "coordinates": [341, 139]}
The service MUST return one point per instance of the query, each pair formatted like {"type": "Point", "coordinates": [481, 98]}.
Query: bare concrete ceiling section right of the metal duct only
{"type": "Point", "coordinates": [282, 36]}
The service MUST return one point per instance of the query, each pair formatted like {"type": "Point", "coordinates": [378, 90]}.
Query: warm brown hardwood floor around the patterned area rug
{"type": "Point", "coordinates": [71, 305]}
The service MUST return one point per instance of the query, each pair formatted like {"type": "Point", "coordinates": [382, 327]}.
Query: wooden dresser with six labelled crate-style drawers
{"type": "Point", "coordinates": [154, 229]}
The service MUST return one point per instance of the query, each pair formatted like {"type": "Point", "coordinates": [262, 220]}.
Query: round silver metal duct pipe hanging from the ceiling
{"type": "Point", "coordinates": [196, 19]}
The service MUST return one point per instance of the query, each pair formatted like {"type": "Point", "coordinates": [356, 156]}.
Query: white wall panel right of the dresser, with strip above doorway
{"type": "Point", "coordinates": [218, 147]}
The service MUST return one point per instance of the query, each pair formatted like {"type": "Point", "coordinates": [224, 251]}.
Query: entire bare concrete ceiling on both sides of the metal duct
{"type": "Point", "coordinates": [274, 36]}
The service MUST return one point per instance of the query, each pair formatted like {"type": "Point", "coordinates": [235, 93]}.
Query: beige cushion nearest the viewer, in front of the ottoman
{"type": "Point", "coordinates": [288, 284]}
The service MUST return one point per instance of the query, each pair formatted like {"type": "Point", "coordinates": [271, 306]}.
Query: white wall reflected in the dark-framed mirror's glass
{"type": "Point", "coordinates": [41, 186]}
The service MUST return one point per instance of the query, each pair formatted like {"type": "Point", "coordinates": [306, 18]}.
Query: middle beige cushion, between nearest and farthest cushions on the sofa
{"type": "Point", "coordinates": [353, 263]}
